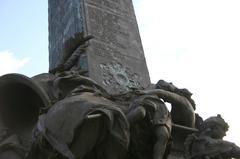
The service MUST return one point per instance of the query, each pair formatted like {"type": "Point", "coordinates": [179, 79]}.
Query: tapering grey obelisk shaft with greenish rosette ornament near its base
{"type": "Point", "coordinates": [115, 57]}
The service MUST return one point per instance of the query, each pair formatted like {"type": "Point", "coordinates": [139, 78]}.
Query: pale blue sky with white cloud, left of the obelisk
{"type": "Point", "coordinates": [24, 35]}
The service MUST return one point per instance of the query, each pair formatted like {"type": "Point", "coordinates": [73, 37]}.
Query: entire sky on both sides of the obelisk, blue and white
{"type": "Point", "coordinates": [194, 44]}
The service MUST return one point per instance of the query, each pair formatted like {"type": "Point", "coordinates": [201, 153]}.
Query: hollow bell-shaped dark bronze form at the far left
{"type": "Point", "coordinates": [20, 103]}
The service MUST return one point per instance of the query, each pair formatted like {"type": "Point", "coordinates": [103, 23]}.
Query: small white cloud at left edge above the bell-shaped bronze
{"type": "Point", "coordinates": [9, 63]}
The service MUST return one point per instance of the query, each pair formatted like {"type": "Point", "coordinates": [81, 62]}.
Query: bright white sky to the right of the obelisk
{"type": "Point", "coordinates": [196, 45]}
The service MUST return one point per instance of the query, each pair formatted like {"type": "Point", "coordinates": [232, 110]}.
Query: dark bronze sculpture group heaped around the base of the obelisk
{"type": "Point", "coordinates": [64, 114]}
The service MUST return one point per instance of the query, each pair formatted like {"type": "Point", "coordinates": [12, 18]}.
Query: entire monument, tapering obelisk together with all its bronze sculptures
{"type": "Point", "coordinates": [94, 104]}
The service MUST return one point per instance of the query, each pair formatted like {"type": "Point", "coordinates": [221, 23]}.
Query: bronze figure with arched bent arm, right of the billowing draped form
{"type": "Point", "coordinates": [153, 122]}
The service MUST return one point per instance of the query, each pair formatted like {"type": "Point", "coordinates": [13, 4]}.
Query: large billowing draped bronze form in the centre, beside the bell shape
{"type": "Point", "coordinates": [83, 123]}
